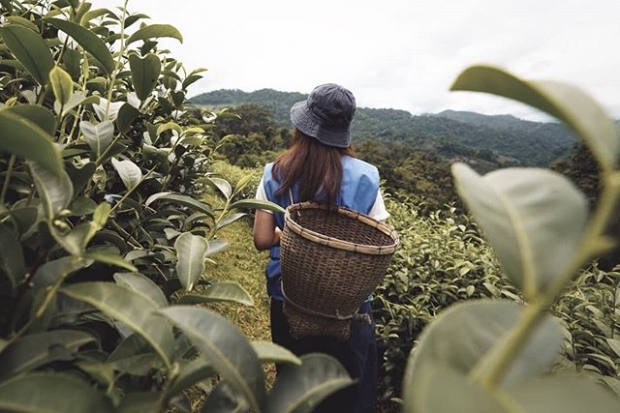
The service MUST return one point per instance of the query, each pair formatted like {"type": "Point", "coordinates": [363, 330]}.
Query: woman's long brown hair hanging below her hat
{"type": "Point", "coordinates": [317, 168]}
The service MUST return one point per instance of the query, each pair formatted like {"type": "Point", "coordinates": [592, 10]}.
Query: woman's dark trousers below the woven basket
{"type": "Point", "coordinates": [358, 355]}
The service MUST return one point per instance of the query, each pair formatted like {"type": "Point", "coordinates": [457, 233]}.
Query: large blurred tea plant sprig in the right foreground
{"type": "Point", "coordinates": [498, 355]}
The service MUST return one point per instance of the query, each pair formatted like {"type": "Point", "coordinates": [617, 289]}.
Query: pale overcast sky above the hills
{"type": "Point", "coordinates": [401, 54]}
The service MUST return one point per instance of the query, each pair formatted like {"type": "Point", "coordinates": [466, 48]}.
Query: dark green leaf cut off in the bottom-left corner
{"type": "Point", "coordinates": [49, 393]}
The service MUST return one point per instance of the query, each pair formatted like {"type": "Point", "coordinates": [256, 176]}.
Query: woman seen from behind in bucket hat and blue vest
{"type": "Point", "coordinates": [320, 167]}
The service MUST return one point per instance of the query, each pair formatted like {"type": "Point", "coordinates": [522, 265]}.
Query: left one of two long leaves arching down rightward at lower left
{"type": "Point", "coordinates": [132, 309]}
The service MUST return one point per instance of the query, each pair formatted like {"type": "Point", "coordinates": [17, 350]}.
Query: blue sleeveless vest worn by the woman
{"type": "Point", "coordinates": [358, 191]}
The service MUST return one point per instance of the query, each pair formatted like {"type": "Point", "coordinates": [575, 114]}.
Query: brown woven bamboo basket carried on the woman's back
{"type": "Point", "coordinates": [331, 259]}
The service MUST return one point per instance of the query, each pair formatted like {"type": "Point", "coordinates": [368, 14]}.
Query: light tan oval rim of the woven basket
{"type": "Point", "coordinates": [337, 243]}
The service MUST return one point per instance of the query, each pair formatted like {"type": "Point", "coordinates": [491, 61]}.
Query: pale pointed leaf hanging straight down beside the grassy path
{"type": "Point", "coordinates": [191, 250]}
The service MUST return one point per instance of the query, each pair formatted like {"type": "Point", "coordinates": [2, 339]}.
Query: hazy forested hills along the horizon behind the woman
{"type": "Point", "coordinates": [450, 134]}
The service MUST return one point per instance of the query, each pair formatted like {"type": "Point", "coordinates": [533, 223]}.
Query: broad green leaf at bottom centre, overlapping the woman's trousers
{"type": "Point", "coordinates": [298, 389]}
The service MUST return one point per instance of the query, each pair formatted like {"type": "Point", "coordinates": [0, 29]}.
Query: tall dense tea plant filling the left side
{"type": "Point", "coordinates": [104, 231]}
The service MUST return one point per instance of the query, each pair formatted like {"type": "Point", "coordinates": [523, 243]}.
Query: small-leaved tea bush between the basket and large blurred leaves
{"type": "Point", "coordinates": [442, 260]}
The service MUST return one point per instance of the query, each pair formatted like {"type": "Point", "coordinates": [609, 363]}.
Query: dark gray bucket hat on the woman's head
{"type": "Point", "coordinates": [326, 115]}
